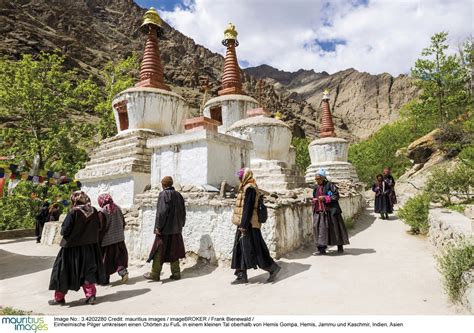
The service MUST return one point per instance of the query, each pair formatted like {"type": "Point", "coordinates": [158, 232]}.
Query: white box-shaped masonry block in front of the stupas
{"type": "Point", "coordinates": [199, 157]}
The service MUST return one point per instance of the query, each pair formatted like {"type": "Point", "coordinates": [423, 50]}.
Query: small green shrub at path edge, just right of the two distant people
{"type": "Point", "coordinates": [415, 213]}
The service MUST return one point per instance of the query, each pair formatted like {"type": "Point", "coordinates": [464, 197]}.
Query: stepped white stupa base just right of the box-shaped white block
{"type": "Point", "coordinates": [275, 176]}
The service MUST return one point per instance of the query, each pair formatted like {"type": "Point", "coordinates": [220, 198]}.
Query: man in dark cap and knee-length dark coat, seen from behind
{"type": "Point", "coordinates": [170, 219]}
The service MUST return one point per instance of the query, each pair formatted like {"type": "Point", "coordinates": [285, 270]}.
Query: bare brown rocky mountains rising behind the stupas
{"type": "Point", "coordinates": [92, 32]}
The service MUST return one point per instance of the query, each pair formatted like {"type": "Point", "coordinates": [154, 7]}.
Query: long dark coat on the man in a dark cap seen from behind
{"type": "Point", "coordinates": [170, 220]}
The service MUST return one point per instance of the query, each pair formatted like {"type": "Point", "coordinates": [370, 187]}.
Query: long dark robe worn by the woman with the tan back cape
{"type": "Point", "coordinates": [250, 249]}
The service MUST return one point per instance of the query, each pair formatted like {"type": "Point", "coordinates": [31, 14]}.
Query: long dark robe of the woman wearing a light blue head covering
{"type": "Point", "coordinates": [328, 224]}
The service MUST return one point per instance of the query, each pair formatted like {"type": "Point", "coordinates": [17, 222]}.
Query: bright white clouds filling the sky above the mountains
{"type": "Point", "coordinates": [381, 36]}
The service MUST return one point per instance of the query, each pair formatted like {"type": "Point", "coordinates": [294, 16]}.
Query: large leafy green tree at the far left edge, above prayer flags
{"type": "Point", "coordinates": [41, 98]}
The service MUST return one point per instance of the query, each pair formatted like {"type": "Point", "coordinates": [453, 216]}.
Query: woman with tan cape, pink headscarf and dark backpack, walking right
{"type": "Point", "coordinates": [250, 250]}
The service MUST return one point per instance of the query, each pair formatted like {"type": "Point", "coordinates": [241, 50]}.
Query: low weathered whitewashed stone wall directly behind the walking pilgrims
{"type": "Point", "coordinates": [210, 234]}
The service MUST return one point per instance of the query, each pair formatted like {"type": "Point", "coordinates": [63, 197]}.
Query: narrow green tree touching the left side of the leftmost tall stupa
{"type": "Point", "coordinates": [116, 77]}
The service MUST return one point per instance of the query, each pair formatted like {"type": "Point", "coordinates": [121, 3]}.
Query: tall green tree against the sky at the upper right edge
{"type": "Point", "coordinates": [445, 81]}
